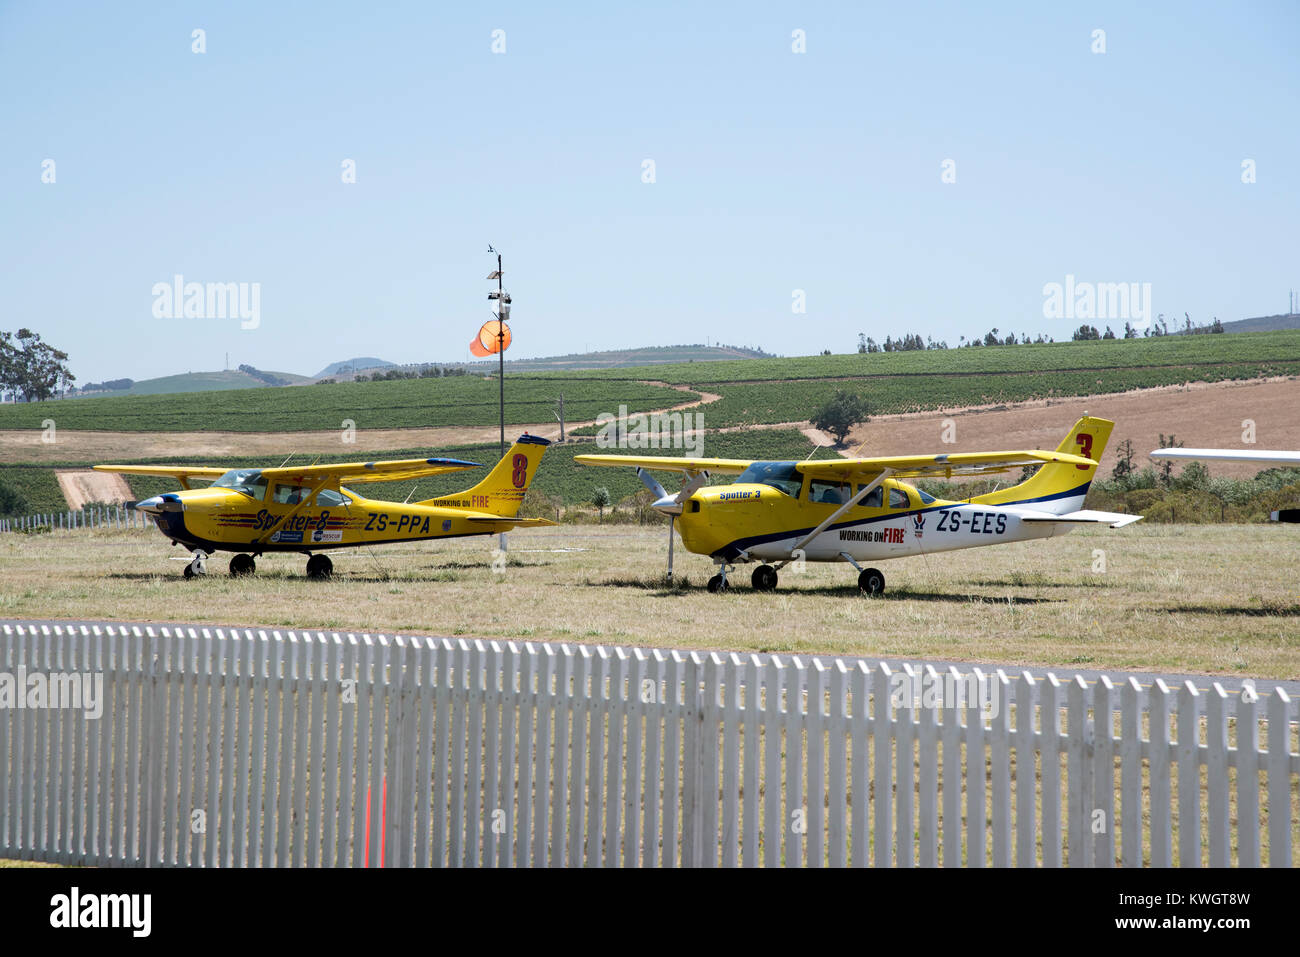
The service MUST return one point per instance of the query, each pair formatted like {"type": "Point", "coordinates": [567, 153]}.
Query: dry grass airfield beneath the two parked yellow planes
{"type": "Point", "coordinates": [1219, 600]}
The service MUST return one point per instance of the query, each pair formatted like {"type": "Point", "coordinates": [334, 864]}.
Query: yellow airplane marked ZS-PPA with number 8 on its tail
{"type": "Point", "coordinates": [306, 509]}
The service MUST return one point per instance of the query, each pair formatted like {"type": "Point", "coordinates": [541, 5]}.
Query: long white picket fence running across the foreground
{"type": "Point", "coordinates": [240, 748]}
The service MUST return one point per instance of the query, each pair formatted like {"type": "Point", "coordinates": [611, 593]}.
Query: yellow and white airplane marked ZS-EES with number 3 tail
{"type": "Point", "coordinates": [856, 510]}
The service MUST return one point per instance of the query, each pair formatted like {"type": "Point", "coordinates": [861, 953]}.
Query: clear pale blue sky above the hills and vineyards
{"type": "Point", "coordinates": [774, 172]}
